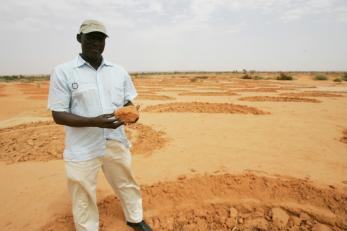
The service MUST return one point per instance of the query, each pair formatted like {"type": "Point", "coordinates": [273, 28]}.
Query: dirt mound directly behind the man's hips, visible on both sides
{"type": "Point", "coordinates": [44, 141]}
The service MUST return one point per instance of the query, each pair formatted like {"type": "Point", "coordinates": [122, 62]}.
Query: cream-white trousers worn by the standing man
{"type": "Point", "coordinates": [82, 177]}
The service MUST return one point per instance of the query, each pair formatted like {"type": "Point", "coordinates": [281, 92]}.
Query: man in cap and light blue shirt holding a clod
{"type": "Point", "coordinates": [83, 95]}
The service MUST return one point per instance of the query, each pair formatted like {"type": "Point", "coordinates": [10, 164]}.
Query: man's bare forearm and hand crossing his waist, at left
{"type": "Point", "coordinates": [72, 120]}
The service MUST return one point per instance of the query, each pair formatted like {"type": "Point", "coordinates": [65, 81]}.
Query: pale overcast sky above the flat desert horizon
{"type": "Point", "coordinates": [179, 35]}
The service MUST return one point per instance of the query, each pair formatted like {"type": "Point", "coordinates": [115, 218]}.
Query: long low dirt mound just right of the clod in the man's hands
{"type": "Point", "coordinates": [201, 107]}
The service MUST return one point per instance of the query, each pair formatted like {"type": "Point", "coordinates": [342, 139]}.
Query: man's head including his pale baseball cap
{"type": "Point", "coordinates": [92, 35]}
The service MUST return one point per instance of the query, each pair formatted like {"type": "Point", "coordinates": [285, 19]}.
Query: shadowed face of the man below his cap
{"type": "Point", "coordinates": [93, 44]}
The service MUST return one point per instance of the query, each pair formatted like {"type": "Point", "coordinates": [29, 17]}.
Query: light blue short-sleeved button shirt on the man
{"type": "Point", "coordinates": [76, 87]}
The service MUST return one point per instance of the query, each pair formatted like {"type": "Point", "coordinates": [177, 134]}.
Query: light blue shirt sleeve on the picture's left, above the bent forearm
{"type": "Point", "coordinates": [59, 95]}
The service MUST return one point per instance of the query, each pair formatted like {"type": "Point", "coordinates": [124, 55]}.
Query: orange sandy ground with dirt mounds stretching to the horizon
{"type": "Point", "coordinates": [211, 153]}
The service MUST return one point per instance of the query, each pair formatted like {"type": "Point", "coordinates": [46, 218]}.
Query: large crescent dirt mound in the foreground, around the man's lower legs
{"type": "Point", "coordinates": [227, 202]}
